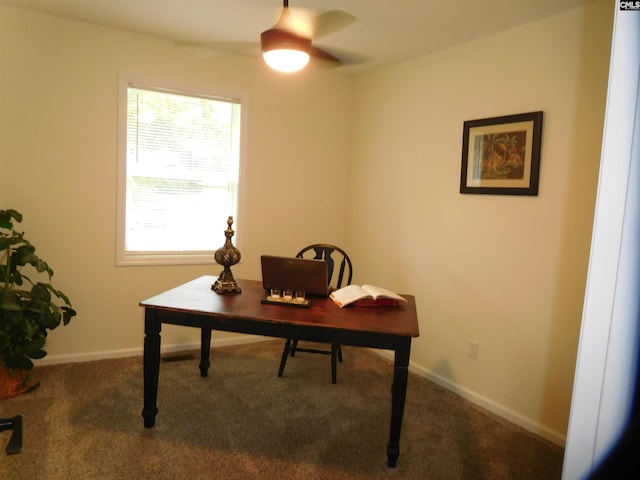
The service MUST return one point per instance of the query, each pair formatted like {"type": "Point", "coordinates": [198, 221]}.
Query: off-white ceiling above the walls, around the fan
{"type": "Point", "coordinates": [381, 31]}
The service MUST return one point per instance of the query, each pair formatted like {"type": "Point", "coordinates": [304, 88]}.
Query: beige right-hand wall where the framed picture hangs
{"type": "Point", "coordinates": [508, 272]}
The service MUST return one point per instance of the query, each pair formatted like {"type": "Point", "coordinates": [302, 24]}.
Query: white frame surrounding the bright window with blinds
{"type": "Point", "coordinates": [125, 258]}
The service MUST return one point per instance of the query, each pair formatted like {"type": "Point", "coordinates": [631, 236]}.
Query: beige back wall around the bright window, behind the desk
{"type": "Point", "coordinates": [58, 141]}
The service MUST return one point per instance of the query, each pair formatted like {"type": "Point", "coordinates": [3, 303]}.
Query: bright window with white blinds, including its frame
{"type": "Point", "coordinates": [178, 175]}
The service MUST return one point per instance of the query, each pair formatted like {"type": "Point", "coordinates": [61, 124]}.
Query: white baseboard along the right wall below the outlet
{"type": "Point", "coordinates": [496, 408]}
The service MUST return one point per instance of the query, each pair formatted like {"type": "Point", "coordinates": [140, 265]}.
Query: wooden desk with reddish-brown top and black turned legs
{"type": "Point", "coordinates": [194, 304]}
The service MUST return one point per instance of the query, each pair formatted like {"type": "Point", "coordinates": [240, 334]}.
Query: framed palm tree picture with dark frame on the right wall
{"type": "Point", "coordinates": [501, 155]}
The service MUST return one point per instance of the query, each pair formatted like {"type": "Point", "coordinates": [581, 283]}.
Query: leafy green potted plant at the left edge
{"type": "Point", "coordinates": [29, 308]}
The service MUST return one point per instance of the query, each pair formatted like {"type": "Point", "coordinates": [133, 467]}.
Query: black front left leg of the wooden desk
{"type": "Point", "coordinates": [151, 366]}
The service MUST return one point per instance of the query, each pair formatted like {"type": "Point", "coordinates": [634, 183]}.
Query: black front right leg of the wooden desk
{"type": "Point", "coordinates": [398, 396]}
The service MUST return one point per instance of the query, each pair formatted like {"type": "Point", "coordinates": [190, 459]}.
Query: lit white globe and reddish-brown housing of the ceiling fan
{"type": "Point", "coordinates": [284, 51]}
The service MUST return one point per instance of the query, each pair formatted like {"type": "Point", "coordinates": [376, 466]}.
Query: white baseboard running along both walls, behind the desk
{"type": "Point", "coordinates": [500, 410]}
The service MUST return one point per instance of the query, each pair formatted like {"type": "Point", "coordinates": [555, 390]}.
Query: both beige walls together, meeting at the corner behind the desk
{"type": "Point", "coordinates": [370, 162]}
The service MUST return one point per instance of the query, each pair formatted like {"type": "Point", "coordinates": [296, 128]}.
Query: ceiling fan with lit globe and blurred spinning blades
{"type": "Point", "coordinates": [288, 47]}
